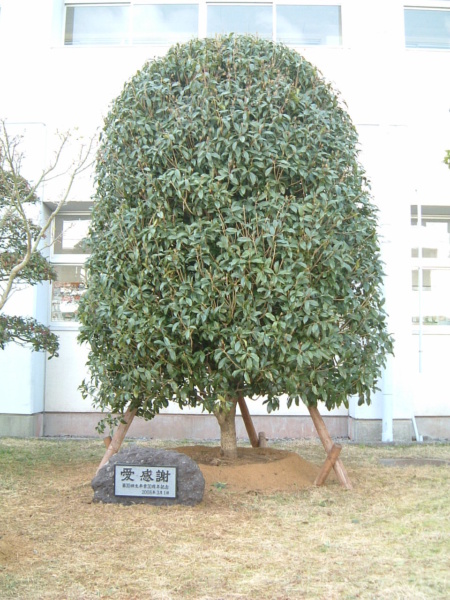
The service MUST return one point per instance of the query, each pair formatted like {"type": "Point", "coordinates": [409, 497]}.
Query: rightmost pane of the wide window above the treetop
{"type": "Point", "coordinates": [309, 25]}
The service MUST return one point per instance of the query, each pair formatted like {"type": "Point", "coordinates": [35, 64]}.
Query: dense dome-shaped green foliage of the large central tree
{"type": "Point", "coordinates": [234, 243]}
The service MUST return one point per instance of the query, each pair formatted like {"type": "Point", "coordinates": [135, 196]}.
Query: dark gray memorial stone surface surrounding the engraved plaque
{"type": "Point", "coordinates": [190, 481]}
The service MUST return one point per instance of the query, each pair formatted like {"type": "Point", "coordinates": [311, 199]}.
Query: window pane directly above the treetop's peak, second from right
{"type": "Point", "coordinates": [240, 18]}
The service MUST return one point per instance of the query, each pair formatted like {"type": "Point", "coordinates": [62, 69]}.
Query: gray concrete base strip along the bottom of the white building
{"type": "Point", "coordinates": [203, 427]}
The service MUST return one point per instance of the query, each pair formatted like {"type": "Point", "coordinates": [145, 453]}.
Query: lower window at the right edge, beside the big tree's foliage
{"type": "Point", "coordinates": [431, 266]}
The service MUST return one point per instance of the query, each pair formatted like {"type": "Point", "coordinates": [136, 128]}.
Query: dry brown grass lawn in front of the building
{"type": "Point", "coordinates": [388, 538]}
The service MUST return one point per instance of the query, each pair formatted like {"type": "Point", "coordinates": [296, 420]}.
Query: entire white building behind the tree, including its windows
{"type": "Point", "coordinates": [61, 65]}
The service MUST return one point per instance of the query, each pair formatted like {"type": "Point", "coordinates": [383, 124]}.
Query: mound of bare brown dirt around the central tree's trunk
{"type": "Point", "coordinates": [263, 470]}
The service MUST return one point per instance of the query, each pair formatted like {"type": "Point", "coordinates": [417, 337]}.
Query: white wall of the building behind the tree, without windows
{"type": "Point", "coordinates": [399, 101]}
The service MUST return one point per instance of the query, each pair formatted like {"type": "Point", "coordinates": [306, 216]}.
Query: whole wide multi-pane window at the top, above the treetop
{"type": "Point", "coordinates": [140, 22]}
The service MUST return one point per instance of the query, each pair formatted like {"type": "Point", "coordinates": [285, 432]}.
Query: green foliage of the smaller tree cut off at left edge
{"type": "Point", "coordinates": [17, 235]}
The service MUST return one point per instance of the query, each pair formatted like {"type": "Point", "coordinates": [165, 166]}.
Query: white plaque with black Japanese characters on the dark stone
{"type": "Point", "coordinates": [146, 481]}
